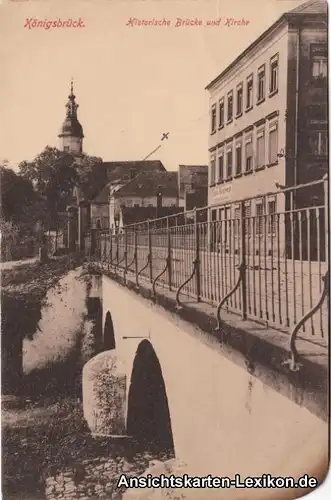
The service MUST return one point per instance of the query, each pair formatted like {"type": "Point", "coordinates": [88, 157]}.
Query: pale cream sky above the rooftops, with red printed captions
{"type": "Point", "coordinates": [131, 83]}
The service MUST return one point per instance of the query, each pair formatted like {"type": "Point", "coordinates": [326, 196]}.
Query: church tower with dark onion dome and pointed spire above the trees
{"type": "Point", "coordinates": [71, 135]}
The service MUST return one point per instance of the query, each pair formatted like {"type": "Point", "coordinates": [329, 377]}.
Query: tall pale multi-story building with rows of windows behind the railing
{"type": "Point", "coordinates": [269, 115]}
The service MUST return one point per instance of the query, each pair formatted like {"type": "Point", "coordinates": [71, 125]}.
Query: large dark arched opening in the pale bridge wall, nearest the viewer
{"type": "Point", "coordinates": [148, 419]}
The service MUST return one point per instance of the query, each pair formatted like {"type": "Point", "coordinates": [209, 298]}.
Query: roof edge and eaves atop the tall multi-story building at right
{"type": "Point", "coordinates": [310, 7]}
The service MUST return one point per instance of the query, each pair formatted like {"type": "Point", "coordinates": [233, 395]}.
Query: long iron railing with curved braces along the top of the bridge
{"type": "Point", "coordinates": [263, 258]}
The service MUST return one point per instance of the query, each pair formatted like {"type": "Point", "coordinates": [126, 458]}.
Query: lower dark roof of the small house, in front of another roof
{"type": "Point", "coordinates": [148, 184]}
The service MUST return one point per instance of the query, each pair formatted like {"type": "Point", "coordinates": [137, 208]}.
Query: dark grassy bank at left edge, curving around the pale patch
{"type": "Point", "coordinates": [47, 429]}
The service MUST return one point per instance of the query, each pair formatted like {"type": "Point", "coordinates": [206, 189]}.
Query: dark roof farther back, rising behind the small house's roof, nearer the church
{"type": "Point", "coordinates": [119, 169]}
